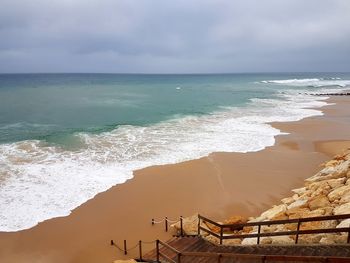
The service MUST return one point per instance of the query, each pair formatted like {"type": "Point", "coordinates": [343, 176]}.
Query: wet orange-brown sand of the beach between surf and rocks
{"type": "Point", "coordinates": [217, 186]}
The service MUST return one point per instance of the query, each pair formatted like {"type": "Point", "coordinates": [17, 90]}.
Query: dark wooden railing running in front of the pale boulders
{"type": "Point", "coordinates": [259, 235]}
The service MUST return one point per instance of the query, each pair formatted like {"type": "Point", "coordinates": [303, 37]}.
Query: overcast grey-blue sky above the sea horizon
{"type": "Point", "coordinates": [182, 36]}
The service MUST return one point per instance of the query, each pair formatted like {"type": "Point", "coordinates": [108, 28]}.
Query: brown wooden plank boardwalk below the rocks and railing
{"type": "Point", "coordinates": [196, 249]}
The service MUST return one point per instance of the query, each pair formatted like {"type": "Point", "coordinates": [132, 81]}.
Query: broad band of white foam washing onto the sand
{"type": "Point", "coordinates": [40, 181]}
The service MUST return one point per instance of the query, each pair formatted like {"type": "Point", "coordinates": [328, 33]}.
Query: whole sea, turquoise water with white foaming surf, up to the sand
{"type": "Point", "coordinates": [66, 137]}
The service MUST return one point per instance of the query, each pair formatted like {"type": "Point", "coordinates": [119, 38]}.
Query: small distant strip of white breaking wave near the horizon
{"type": "Point", "coordinates": [314, 82]}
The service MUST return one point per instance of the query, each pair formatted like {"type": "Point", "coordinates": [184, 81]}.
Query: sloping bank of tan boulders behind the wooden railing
{"type": "Point", "coordinates": [324, 194]}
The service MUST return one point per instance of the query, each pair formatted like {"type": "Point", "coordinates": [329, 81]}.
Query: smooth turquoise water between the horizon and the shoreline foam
{"type": "Point", "coordinates": [53, 106]}
